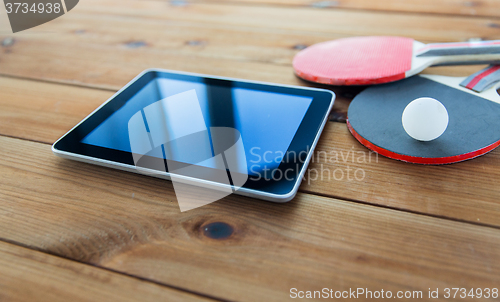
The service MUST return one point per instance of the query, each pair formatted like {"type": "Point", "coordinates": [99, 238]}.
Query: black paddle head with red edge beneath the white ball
{"type": "Point", "coordinates": [374, 119]}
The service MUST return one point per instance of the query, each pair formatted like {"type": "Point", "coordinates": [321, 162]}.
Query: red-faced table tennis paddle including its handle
{"type": "Point", "coordinates": [381, 59]}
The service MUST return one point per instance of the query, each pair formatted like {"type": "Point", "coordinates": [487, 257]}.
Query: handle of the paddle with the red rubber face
{"type": "Point", "coordinates": [475, 51]}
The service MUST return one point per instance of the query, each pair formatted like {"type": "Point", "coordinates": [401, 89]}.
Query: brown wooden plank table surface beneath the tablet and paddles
{"type": "Point", "coordinates": [76, 232]}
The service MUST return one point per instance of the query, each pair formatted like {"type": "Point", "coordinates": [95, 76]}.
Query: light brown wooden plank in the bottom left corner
{"type": "Point", "coordinates": [28, 275]}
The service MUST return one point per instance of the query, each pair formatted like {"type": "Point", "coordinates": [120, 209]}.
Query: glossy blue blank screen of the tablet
{"type": "Point", "coordinates": [267, 121]}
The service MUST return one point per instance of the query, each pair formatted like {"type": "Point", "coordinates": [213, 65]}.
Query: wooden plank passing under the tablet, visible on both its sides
{"type": "Point", "coordinates": [464, 191]}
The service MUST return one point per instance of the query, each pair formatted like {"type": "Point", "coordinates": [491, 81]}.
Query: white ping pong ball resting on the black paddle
{"type": "Point", "coordinates": [425, 119]}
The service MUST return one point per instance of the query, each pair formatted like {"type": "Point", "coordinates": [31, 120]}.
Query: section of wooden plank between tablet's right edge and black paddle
{"type": "Point", "coordinates": [466, 191]}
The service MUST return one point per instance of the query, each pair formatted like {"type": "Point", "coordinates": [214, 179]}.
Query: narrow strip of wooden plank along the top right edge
{"type": "Point", "coordinates": [487, 8]}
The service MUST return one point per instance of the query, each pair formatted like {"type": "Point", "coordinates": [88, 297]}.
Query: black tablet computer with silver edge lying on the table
{"type": "Point", "coordinates": [253, 138]}
